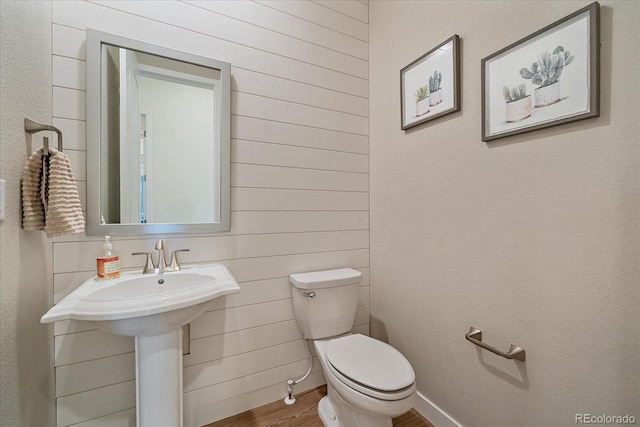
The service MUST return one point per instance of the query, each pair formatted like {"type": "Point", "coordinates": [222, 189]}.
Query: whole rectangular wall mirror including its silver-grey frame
{"type": "Point", "coordinates": [158, 139]}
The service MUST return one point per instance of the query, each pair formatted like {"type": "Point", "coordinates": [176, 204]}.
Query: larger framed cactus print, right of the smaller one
{"type": "Point", "coordinates": [549, 78]}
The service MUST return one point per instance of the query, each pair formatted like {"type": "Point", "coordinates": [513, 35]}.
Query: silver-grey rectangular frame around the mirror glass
{"type": "Point", "coordinates": [95, 39]}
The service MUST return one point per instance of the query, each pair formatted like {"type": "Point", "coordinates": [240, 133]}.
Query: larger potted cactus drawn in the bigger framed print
{"type": "Point", "coordinates": [545, 73]}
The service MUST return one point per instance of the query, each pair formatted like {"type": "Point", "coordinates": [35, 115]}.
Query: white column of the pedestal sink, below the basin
{"type": "Point", "coordinates": [159, 379]}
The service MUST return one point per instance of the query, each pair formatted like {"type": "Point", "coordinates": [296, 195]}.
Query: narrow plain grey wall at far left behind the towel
{"type": "Point", "coordinates": [26, 374]}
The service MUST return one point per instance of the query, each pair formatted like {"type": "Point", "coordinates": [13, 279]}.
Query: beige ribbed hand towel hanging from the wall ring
{"type": "Point", "coordinates": [50, 200]}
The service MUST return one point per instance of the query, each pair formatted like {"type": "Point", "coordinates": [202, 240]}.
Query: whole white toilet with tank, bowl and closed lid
{"type": "Point", "coordinates": [368, 382]}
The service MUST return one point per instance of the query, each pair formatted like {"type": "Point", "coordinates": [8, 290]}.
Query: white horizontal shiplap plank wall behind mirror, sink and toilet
{"type": "Point", "coordinates": [300, 195]}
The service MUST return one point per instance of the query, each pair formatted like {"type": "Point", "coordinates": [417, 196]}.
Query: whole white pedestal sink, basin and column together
{"type": "Point", "coordinates": [152, 308]}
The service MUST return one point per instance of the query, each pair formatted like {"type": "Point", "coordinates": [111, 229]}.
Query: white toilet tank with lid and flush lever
{"type": "Point", "coordinates": [325, 302]}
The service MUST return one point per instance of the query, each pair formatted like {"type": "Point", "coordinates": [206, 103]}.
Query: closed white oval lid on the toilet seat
{"type": "Point", "coordinates": [370, 362]}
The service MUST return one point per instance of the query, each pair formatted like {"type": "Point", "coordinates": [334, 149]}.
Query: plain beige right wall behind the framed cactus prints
{"type": "Point", "coordinates": [533, 239]}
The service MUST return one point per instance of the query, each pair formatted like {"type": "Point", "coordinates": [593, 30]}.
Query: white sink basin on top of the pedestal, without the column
{"type": "Point", "coordinates": [137, 304]}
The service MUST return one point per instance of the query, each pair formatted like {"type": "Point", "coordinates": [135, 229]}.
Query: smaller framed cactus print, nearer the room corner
{"type": "Point", "coordinates": [430, 85]}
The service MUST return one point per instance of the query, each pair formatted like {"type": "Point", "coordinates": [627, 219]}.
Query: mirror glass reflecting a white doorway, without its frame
{"type": "Point", "coordinates": [158, 147]}
